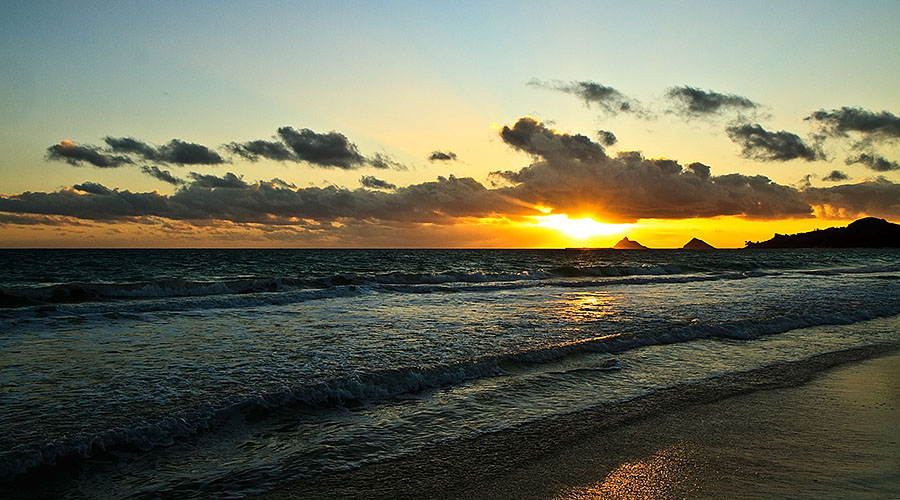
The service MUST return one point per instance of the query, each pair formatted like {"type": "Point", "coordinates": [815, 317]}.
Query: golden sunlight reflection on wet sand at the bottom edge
{"type": "Point", "coordinates": [666, 474]}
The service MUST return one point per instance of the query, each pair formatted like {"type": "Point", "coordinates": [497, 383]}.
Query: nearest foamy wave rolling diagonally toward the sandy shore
{"type": "Point", "coordinates": [388, 384]}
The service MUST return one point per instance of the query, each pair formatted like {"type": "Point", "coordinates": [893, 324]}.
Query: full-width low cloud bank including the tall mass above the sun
{"type": "Point", "coordinates": [569, 173]}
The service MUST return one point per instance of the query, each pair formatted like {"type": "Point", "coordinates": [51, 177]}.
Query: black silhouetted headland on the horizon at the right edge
{"type": "Point", "coordinates": [869, 232]}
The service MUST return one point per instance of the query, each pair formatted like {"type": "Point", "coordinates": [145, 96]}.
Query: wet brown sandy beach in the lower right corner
{"type": "Point", "coordinates": [835, 436]}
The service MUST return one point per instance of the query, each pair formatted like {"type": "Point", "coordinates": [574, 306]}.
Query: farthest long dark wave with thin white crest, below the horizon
{"type": "Point", "coordinates": [69, 293]}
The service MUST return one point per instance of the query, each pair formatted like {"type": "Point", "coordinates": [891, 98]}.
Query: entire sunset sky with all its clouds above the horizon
{"type": "Point", "coordinates": [451, 124]}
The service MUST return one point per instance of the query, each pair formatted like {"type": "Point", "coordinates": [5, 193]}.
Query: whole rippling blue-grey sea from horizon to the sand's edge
{"type": "Point", "coordinates": [224, 373]}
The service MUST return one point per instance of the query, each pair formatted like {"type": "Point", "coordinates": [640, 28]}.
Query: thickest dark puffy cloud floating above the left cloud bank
{"type": "Point", "coordinates": [331, 149]}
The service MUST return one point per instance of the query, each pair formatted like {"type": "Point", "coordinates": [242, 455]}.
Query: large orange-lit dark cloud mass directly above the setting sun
{"type": "Point", "coordinates": [574, 176]}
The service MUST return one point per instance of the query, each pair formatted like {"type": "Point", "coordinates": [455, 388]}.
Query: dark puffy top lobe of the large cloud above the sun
{"type": "Point", "coordinates": [531, 136]}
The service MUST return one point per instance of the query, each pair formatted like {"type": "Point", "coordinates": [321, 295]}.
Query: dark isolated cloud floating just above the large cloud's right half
{"type": "Point", "coordinates": [759, 144]}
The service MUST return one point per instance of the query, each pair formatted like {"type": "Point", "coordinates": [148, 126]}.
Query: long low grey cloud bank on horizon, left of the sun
{"type": "Point", "coordinates": [230, 198]}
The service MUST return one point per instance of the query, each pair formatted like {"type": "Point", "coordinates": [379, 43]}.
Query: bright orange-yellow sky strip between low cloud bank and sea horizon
{"type": "Point", "coordinates": [543, 231]}
